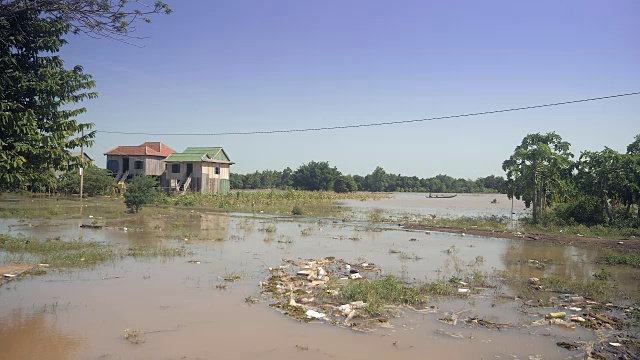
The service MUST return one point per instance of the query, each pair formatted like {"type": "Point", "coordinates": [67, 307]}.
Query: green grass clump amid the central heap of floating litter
{"type": "Point", "coordinates": [391, 291]}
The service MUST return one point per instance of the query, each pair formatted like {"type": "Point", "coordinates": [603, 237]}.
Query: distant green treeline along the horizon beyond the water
{"type": "Point", "coordinates": [321, 176]}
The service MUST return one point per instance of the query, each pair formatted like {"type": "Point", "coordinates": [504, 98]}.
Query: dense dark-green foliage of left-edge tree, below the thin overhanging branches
{"type": "Point", "coordinates": [36, 132]}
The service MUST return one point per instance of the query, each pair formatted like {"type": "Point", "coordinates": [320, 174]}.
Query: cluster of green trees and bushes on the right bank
{"type": "Point", "coordinates": [598, 190]}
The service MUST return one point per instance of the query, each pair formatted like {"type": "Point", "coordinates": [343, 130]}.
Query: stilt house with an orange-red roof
{"type": "Point", "coordinates": [144, 159]}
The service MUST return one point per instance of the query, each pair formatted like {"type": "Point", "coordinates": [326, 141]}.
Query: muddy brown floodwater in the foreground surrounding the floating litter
{"type": "Point", "coordinates": [82, 314]}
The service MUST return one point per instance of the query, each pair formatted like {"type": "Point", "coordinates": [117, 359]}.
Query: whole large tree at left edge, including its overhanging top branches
{"type": "Point", "coordinates": [38, 93]}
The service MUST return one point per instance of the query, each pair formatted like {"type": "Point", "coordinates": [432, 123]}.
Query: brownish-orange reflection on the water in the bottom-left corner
{"type": "Point", "coordinates": [35, 336]}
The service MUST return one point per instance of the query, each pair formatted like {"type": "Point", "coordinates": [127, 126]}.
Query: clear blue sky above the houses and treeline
{"type": "Point", "coordinates": [217, 66]}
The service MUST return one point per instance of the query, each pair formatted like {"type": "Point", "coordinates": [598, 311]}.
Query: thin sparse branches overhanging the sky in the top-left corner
{"type": "Point", "coordinates": [114, 19]}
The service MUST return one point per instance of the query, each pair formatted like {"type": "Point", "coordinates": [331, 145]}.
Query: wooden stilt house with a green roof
{"type": "Point", "coordinates": [199, 169]}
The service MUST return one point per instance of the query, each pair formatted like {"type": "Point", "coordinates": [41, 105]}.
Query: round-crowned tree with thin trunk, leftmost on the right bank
{"type": "Point", "coordinates": [539, 171]}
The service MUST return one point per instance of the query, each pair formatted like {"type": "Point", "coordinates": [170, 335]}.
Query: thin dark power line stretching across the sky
{"type": "Point", "coordinates": [374, 124]}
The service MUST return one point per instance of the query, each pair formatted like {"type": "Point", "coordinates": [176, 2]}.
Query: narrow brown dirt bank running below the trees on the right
{"type": "Point", "coordinates": [585, 241]}
